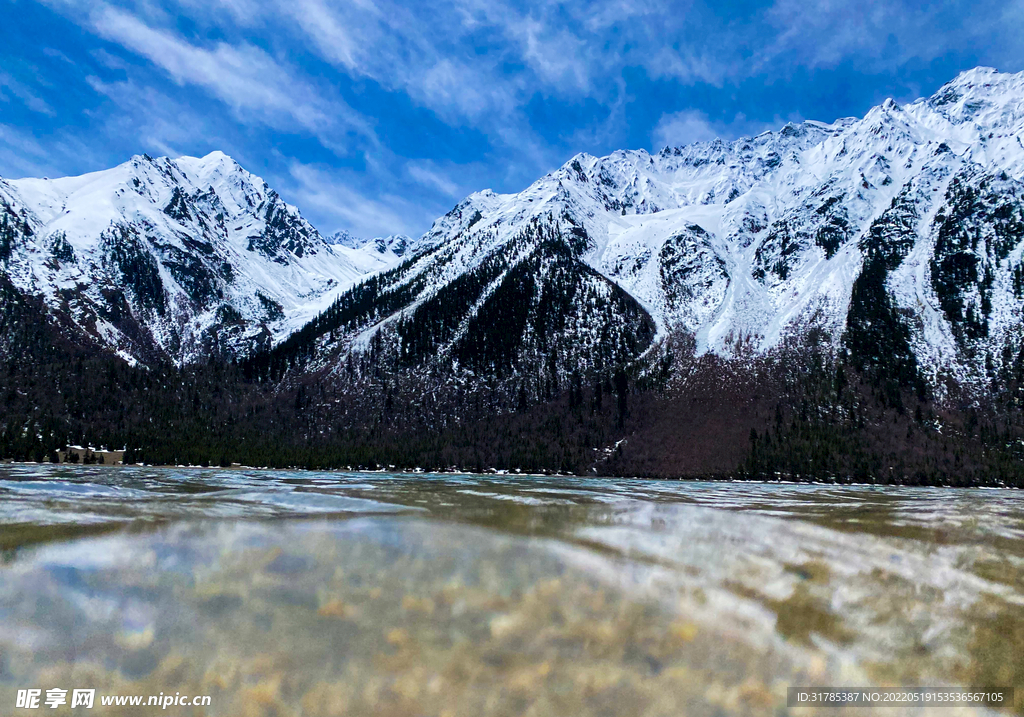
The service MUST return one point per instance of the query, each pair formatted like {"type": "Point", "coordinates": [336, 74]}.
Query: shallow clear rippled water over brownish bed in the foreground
{"type": "Point", "coordinates": [298, 594]}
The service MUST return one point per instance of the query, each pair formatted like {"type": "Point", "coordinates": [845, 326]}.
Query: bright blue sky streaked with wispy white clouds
{"type": "Point", "coordinates": [378, 117]}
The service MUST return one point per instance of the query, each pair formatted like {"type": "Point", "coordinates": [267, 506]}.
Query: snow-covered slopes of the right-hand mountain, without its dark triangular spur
{"type": "Point", "coordinates": [743, 243]}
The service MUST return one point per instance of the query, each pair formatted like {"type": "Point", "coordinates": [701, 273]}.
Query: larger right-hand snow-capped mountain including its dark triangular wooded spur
{"type": "Point", "coordinates": [903, 231]}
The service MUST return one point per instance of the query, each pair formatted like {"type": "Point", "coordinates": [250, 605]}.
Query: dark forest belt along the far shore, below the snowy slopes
{"type": "Point", "coordinates": [795, 415]}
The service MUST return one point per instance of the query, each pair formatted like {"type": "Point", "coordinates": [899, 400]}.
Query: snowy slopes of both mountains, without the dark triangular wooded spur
{"type": "Point", "coordinates": [739, 243]}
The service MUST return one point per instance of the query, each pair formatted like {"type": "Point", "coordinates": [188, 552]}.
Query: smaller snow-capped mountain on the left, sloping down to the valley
{"type": "Point", "coordinates": [179, 259]}
